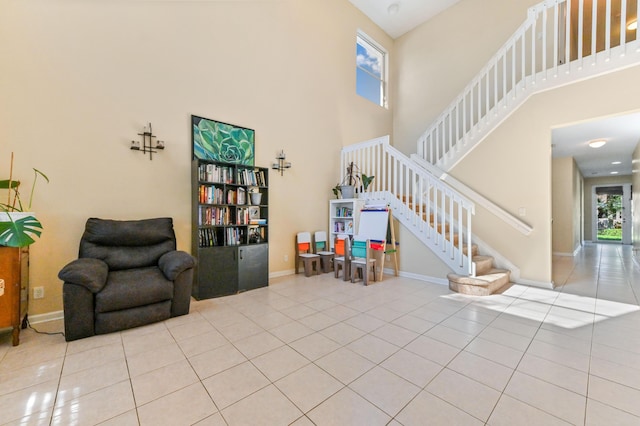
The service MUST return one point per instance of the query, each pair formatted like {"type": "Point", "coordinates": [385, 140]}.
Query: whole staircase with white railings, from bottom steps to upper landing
{"type": "Point", "coordinates": [560, 42]}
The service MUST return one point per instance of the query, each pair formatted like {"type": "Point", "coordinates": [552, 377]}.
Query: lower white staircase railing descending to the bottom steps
{"type": "Point", "coordinates": [435, 213]}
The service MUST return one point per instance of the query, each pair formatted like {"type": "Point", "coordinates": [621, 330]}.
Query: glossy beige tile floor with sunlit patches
{"type": "Point", "coordinates": [322, 351]}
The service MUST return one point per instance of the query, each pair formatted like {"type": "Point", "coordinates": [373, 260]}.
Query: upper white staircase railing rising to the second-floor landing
{"type": "Point", "coordinates": [561, 41]}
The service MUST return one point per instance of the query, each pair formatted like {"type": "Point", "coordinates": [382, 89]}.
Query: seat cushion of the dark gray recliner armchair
{"type": "Point", "coordinates": [131, 288]}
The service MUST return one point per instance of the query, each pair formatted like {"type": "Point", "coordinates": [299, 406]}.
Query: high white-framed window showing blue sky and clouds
{"type": "Point", "coordinates": [371, 70]}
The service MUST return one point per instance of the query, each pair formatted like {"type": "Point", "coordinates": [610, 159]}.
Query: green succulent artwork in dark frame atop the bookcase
{"type": "Point", "coordinates": [218, 141]}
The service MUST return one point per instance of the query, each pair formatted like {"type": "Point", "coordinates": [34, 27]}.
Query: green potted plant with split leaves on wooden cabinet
{"type": "Point", "coordinates": [18, 226]}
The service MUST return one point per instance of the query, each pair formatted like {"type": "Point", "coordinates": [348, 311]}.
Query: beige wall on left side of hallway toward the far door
{"type": "Point", "coordinates": [566, 188]}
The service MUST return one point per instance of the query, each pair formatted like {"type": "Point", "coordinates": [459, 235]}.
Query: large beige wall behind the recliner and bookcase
{"type": "Point", "coordinates": [80, 79]}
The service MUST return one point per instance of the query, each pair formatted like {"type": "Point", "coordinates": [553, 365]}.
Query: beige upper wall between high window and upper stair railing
{"type": "Point", "coordinates": [435, 61]}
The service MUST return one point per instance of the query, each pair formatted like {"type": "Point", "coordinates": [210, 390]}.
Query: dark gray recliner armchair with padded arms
{"type": "Point", "coordinates": [128, 274]}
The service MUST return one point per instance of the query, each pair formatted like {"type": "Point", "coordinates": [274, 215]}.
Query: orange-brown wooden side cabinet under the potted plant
{"type": "Point", "coordinates": [14, 289]}
